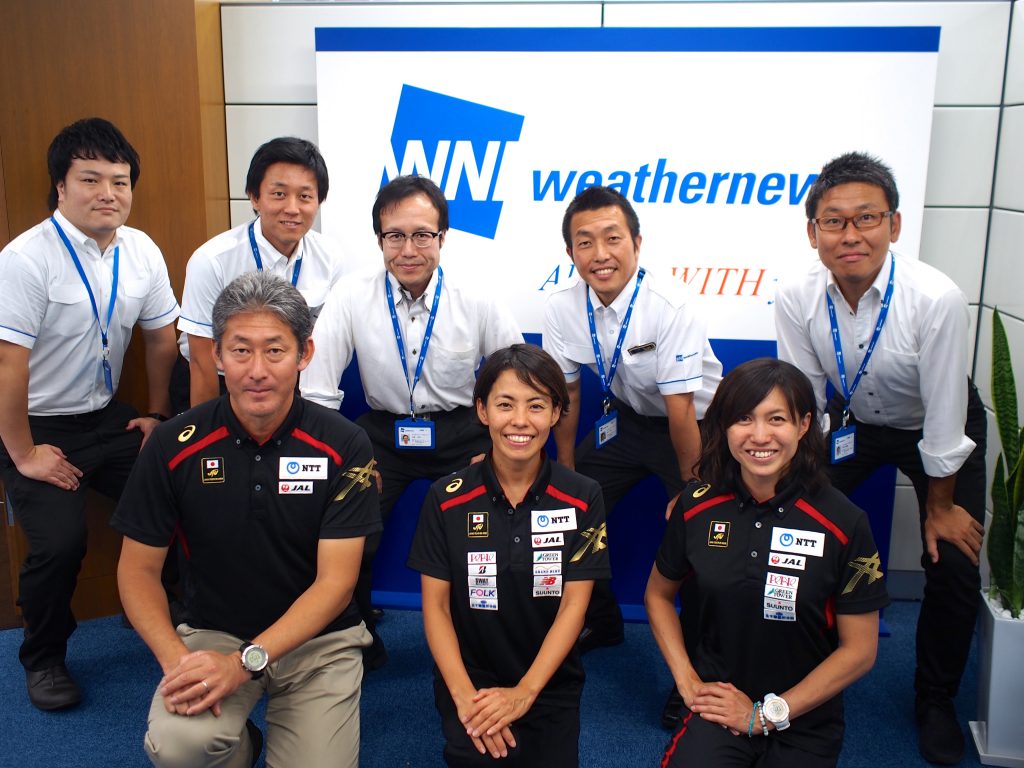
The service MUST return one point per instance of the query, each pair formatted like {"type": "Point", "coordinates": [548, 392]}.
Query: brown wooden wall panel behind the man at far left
{"type": "Point", "coordinates": [139, 65]}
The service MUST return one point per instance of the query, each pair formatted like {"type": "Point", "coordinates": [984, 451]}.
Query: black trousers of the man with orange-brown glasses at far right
{"type": "Point", "coordinates": [954, 584]}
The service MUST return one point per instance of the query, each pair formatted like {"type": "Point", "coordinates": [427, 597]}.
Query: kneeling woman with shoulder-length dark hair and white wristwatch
{"type": "Point", "coordinates": [782, 561]}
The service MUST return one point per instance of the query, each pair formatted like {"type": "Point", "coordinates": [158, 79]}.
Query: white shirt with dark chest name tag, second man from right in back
{"type": "Point", "coordinates": [681, 361]}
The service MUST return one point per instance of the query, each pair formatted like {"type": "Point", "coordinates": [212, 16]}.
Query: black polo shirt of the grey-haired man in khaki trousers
{"type": "Point", "coordinates": [250, 517]}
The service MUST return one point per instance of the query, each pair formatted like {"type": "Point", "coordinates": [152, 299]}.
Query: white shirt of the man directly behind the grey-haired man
{"type": "Point", "coordinates": [224, 259]}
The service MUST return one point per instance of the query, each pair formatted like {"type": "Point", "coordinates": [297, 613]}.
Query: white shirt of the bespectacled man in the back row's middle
{"type": "Point", "coordinates": [356, 319]}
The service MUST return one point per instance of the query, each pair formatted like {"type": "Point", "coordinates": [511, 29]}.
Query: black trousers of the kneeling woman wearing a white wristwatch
{"type": "Point", "coordinates": [699, 744]}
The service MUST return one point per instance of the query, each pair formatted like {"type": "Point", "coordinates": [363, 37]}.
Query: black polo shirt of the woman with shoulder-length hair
{"type": "Point", "coordinates": [772, 579]}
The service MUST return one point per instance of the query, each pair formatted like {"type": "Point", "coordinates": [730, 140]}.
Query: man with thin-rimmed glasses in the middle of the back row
{"type": "Point", "coordinates": [420, 338]}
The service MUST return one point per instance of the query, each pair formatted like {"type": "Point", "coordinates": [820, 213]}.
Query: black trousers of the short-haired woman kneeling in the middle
{"type": "Point", "coordinates": [546, 738]}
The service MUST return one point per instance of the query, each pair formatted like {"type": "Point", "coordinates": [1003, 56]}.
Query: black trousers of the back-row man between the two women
{"type": "Point", "coordinates": [644, 448]}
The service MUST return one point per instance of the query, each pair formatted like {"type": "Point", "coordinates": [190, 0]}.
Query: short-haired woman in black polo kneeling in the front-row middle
{"type": "Point", "coordinates": [505, 589]}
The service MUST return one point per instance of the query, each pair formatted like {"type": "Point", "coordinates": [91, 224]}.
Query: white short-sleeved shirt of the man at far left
{"type": "Point", "coordinates": [47, 309]}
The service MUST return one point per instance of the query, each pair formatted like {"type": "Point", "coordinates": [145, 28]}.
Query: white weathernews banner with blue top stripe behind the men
{"type": "Point", "coordinates": [714, 135]}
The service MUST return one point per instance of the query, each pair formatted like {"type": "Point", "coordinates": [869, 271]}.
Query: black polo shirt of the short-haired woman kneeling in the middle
{"type": "Point", "coordinates": [507, 567]}
